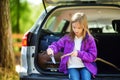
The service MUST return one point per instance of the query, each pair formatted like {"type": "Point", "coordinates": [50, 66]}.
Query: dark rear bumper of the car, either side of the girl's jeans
{"type": "Point", "coordinates": [52, 77]}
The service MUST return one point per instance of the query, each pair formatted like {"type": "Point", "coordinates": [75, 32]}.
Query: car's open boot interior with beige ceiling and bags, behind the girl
{"type": "Point", "coordinates": [104, 25]}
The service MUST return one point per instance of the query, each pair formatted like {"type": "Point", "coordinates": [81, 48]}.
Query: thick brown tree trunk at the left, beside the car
{"type": "Point", "coordinates": [6, 49]}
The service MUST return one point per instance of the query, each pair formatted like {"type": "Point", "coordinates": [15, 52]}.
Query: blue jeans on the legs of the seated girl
{"type": "Point", "coordinates": [79, 74]}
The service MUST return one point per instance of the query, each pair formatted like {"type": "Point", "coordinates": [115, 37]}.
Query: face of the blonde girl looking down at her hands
{"type": "Point", "coordinates": [77, 28]}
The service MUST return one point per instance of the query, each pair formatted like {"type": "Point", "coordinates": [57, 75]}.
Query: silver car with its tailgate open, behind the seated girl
{"type": "Point", "coordinates": [54, 22]}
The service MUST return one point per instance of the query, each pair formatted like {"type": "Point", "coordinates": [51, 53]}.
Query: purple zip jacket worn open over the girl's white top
{"type": "Point", "coordinates": [87, 53]}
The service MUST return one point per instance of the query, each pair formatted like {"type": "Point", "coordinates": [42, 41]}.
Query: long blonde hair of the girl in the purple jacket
{"type": "Point", "coordinates": [81, 17]}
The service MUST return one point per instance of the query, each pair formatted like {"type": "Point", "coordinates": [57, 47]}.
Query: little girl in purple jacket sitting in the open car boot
{"type": "Point", "coordinates": [80, 50]}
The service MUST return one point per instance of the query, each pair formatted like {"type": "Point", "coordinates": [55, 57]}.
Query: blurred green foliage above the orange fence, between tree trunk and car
{"type": "Point", "coordinates": [23, 15]}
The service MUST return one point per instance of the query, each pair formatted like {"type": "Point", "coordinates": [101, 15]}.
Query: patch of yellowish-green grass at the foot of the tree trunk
{"type": "Point", "coordinates": [6, 74]}
